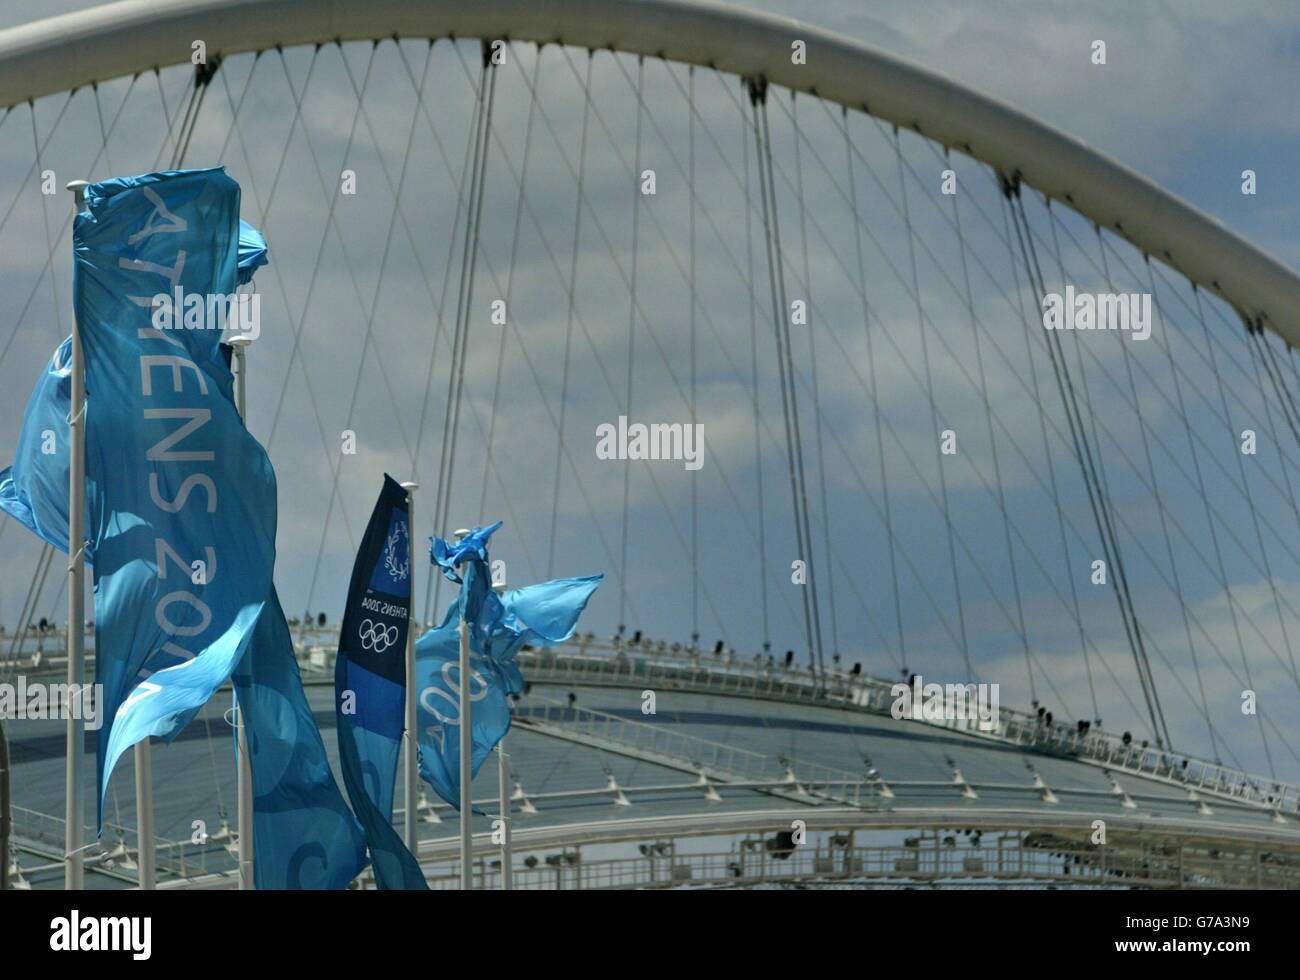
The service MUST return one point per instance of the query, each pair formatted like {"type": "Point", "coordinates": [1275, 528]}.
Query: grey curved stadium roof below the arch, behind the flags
{"type": "Point", "coordinates": [592, 767]}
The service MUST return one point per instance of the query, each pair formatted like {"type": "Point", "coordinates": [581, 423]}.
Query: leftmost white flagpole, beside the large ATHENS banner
{"type": "Point", "coordinates": [75, 812]}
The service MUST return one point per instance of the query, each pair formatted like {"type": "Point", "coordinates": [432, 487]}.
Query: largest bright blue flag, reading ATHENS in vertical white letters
{"type": "Point", "coordinates": [183, 515]}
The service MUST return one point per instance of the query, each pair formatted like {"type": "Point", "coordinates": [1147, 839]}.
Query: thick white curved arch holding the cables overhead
{"type": "Point", "coordinates": [71, 51]}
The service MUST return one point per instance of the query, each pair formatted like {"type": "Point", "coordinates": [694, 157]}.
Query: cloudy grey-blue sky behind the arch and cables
{"type": "Point", "coordinates": [1191, 96]}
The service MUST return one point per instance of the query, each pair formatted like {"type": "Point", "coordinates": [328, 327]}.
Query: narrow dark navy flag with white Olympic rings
{"type": "Point", "coordinates": [370, 683]}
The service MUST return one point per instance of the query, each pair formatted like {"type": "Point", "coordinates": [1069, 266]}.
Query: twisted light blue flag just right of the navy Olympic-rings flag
{"type": "Point", "coordinates": [499, 626]}
